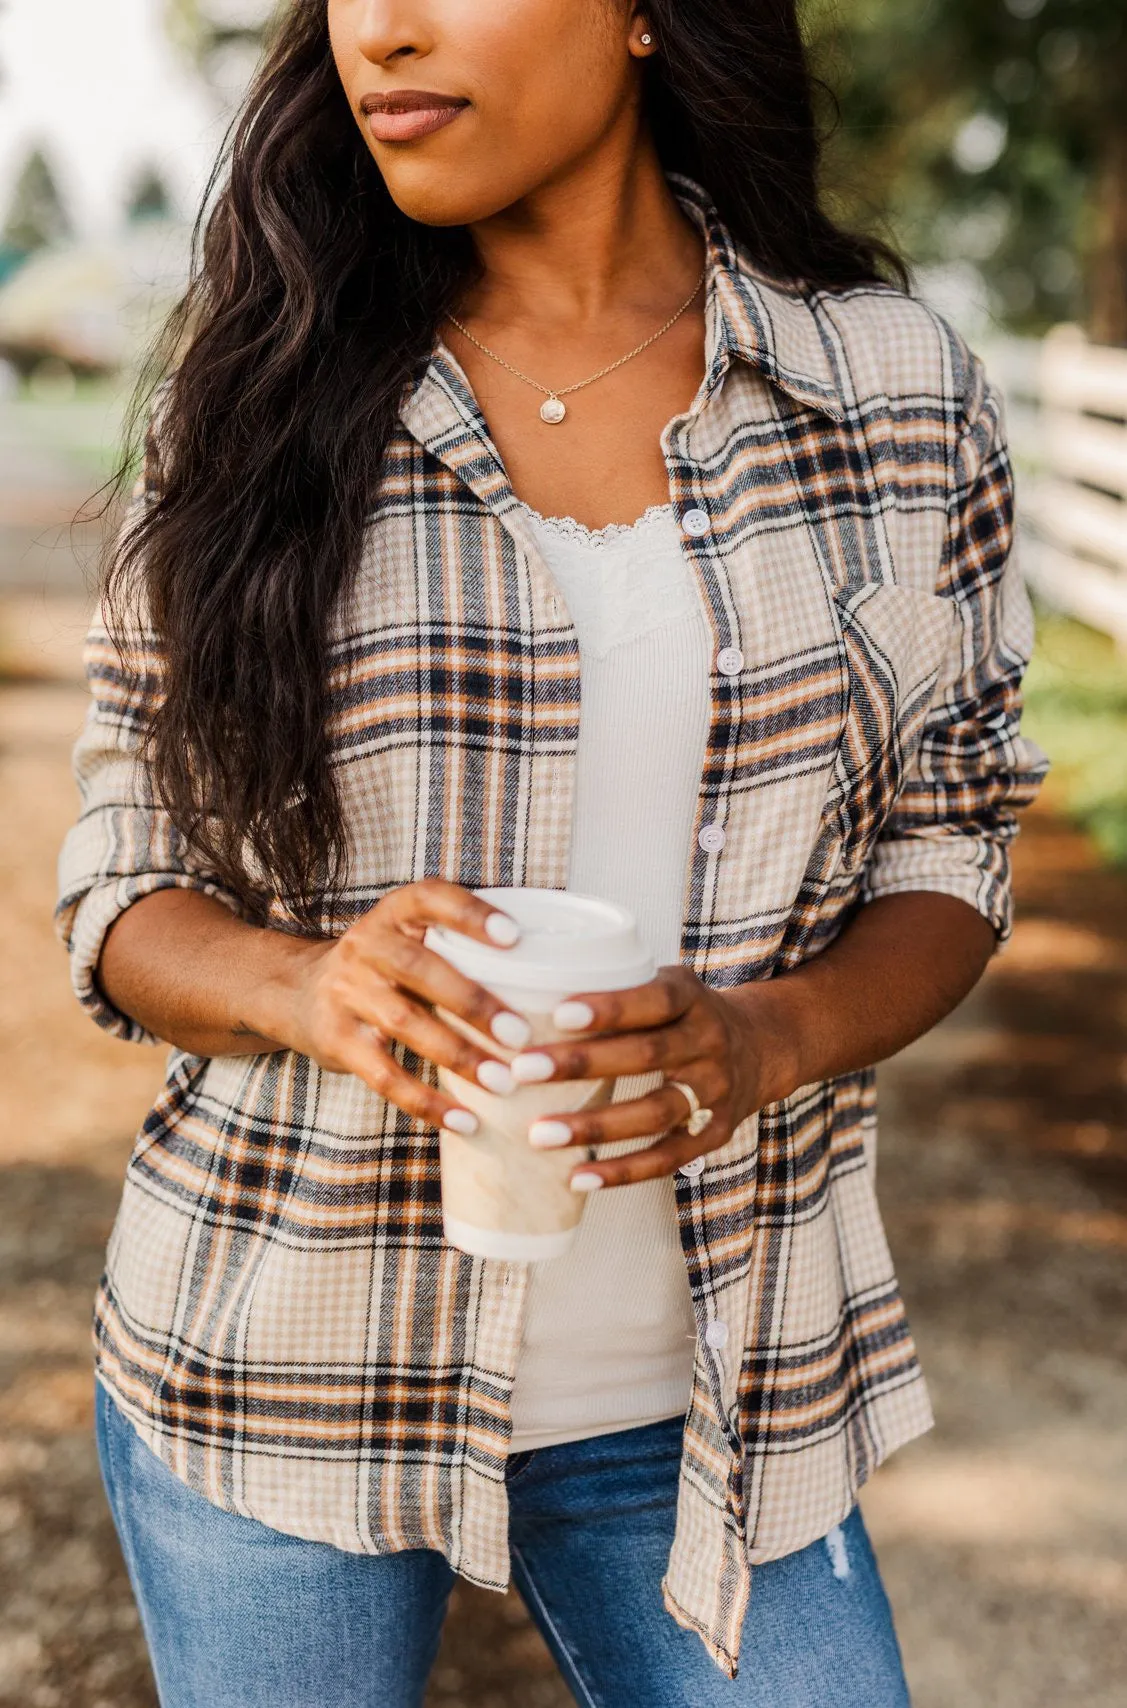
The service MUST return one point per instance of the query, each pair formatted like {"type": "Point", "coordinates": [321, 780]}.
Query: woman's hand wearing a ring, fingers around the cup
{"type": "Point", "coordinates": [730, 1048]}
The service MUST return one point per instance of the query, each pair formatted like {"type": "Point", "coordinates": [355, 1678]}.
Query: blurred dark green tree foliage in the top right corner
{"type": "Point", "coordinates": [993, 132]}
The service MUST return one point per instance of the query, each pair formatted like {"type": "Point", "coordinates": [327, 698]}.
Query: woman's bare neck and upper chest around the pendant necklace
{"type": "Point", "coordinates": [578, 281]}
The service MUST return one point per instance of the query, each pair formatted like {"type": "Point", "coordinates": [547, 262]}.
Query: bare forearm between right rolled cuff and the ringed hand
{"type": "Point", "coordinates": [897, 969]}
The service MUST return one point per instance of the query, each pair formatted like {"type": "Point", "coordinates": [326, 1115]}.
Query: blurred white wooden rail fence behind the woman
{"type": "Point", "coordinates": [1068, 424]}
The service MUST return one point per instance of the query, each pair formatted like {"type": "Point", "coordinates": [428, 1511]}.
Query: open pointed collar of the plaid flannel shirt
{"type": "Point", "coordinates": [766, 322]}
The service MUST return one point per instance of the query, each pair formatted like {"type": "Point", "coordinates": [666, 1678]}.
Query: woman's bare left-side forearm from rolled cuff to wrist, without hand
{"type": "Point", "coordinates": [196, 976]}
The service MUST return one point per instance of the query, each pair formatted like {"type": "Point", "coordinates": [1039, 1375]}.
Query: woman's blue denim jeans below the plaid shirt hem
{"type": "Point", "coordinates": [242, 1617]}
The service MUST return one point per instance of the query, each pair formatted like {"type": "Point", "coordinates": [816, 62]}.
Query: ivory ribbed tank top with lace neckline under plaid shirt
{"type": "Point", "coordinates": [609, 1331]}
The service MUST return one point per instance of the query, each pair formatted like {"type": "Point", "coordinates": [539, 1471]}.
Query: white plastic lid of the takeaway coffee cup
{"type": "Point", "coordinates": [569, 944]}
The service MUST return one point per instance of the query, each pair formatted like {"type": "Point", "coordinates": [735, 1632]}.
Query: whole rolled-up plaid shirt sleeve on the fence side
{"type": "Point", "coordinates": [955, 816]}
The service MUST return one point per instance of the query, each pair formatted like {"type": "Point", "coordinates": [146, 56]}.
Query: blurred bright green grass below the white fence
{"type": "Point", "coordinates": [1077, 710]}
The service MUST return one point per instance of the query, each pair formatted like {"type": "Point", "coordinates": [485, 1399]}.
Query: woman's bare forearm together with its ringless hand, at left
{"type": "Point", "coordinates": [206, 981]}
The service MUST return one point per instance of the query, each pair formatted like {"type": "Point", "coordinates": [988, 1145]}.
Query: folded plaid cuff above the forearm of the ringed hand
{"type": "Point", "coordinates": [950, 863]}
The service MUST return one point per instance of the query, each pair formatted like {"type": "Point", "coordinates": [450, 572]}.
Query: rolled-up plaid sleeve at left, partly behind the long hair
{"type": "Point", "coordinates": [124, 845]}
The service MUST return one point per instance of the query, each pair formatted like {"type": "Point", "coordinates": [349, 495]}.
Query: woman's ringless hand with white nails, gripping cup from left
{"type": "Point", "coordinates": [378, 986]}
